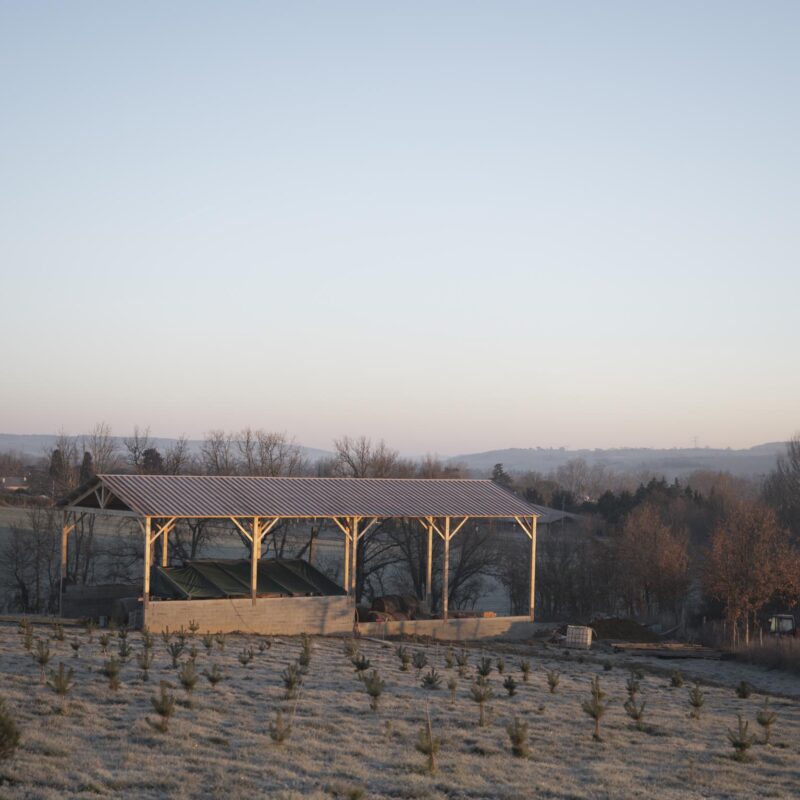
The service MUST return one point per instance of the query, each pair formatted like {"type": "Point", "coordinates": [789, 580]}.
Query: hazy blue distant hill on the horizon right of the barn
{"type": "Point", "coordinates": [672, 463]}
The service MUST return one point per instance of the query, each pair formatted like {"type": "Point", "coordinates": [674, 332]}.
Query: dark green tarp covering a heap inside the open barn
{"type": "Point", "coordinates": [210, 579]}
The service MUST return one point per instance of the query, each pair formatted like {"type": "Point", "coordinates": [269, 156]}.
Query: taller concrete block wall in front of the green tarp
{"type": "Point", "coordinates": [270, 615]}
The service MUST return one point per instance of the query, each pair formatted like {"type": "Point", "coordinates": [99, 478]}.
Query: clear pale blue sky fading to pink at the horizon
{"type": "Point", "coordinates": [457, 226]}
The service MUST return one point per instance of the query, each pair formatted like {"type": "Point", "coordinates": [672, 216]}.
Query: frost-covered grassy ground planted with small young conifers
{"type": "Point", "coordinates": [220, 747]}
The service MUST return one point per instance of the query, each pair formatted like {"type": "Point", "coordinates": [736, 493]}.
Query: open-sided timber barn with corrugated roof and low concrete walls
{"type": "Point", "coordinates": [264, 597]}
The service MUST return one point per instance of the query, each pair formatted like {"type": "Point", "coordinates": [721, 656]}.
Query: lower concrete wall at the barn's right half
{"type": "Point", "coordinates": [455, 629]}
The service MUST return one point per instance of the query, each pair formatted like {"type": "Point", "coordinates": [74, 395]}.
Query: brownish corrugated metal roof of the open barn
{"type": "Point", "coordinates": [235, 496]}
